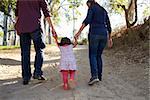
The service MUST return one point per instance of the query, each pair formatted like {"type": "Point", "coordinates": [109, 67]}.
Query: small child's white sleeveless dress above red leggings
{"type": "Point", "coordinates": [67, 61]}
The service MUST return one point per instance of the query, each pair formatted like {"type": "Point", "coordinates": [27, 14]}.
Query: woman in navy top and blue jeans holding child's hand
{"type": "Point", "coordinates": [99, 33]}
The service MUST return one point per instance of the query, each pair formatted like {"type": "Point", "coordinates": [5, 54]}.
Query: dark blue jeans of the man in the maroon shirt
{"type": "Point", "coordinates": [25, 43]}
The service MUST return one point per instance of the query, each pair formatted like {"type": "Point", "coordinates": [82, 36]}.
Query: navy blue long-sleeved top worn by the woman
{"type": "Point", "coordinates": [98, 20]}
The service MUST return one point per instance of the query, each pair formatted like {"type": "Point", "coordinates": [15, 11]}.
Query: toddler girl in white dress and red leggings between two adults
{"type": "Point", "coordinates": [67, 62]}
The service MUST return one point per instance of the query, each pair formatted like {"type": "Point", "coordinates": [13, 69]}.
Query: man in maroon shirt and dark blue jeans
{"type": "Point", "coordinates": [28, 15]}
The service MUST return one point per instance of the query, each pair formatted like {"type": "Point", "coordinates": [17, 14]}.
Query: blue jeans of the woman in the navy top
{"type": "Point", "coordinates": [97, 44]}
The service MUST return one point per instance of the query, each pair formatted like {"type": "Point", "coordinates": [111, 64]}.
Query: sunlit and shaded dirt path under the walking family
{"type": "Point", "coordinates": [122, 79]}
